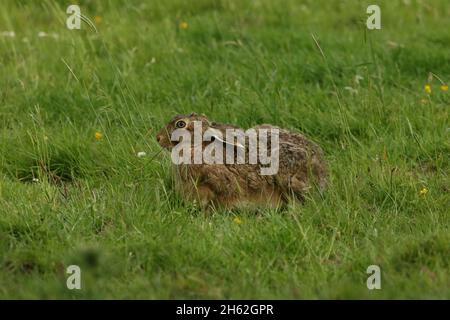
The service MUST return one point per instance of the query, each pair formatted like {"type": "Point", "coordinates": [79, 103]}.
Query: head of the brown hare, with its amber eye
{"type": "Point", "coordinates": [181, 122]}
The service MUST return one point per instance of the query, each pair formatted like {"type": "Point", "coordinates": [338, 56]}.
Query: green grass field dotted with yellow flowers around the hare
{"type": "Point", "coordinates": [69, 197]}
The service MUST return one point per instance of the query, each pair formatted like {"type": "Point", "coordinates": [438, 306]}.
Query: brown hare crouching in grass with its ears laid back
{"type": "Point", "coordinates": [301, 166]}
